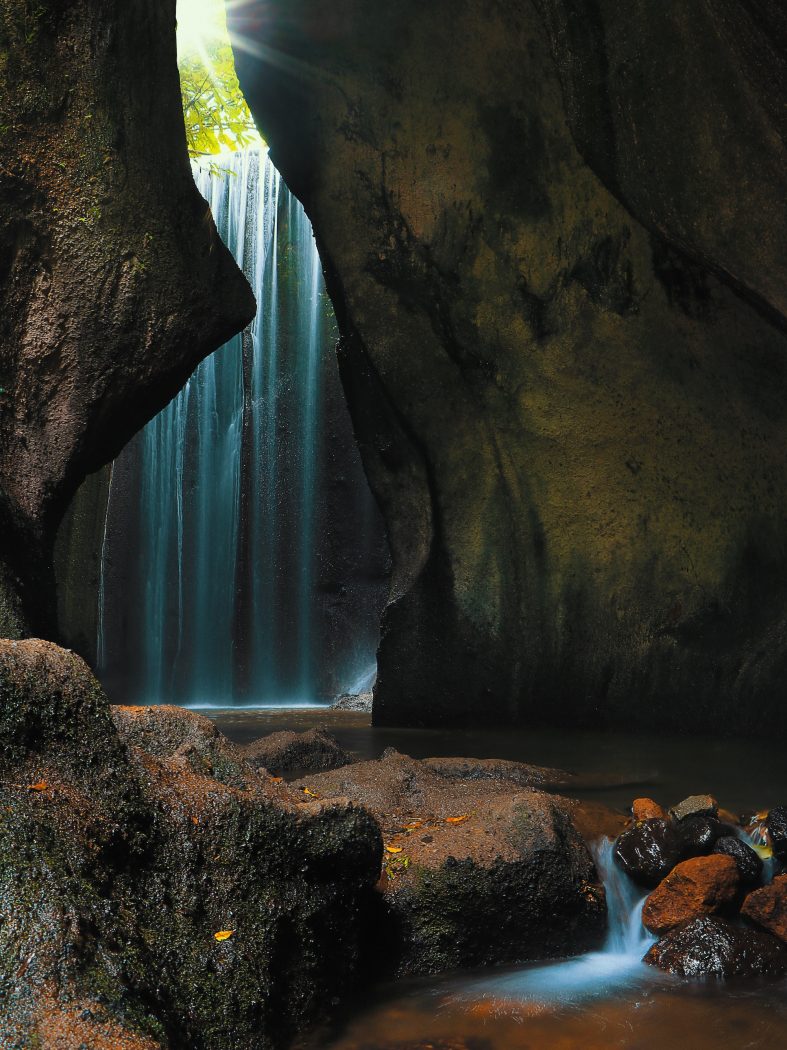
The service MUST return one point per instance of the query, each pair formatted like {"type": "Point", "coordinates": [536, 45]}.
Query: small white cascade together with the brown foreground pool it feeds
{"type": "Point", "coordinates": [607, 999]}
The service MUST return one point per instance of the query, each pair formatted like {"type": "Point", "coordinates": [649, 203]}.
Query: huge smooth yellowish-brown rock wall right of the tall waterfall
{"type": "Point", "coordinates": [564, 354]}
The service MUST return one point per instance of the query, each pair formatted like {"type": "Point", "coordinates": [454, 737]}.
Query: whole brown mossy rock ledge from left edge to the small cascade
{"type": "Point", "coordinates": [161, 889]}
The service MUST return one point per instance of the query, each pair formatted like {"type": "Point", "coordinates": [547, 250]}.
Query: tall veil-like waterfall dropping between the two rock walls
{"type": "Point", "coordinates": [229, 583]}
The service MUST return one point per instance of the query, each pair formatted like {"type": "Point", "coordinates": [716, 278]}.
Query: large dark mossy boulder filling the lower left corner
{"type": "Point", "coordinates": [145, 896]}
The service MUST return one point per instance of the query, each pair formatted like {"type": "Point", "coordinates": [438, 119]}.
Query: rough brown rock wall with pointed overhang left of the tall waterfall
{"type": "Point", "coordinates": [114, 284]}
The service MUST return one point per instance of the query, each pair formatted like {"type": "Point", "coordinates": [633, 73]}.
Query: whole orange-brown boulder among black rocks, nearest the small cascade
{"type": "Point", "coordinates": [703, 886]}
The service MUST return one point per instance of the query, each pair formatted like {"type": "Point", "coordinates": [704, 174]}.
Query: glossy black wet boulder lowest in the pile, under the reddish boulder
{"type": "Point", "coordinates": [711, 947]}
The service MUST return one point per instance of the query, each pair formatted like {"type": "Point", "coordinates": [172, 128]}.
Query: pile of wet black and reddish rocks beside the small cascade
{"type": "Point", "coordinates": [718, 901]}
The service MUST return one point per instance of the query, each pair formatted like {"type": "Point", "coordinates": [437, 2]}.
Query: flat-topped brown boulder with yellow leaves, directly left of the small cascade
{"type": "Point", "coordinates": [477, 871]}
